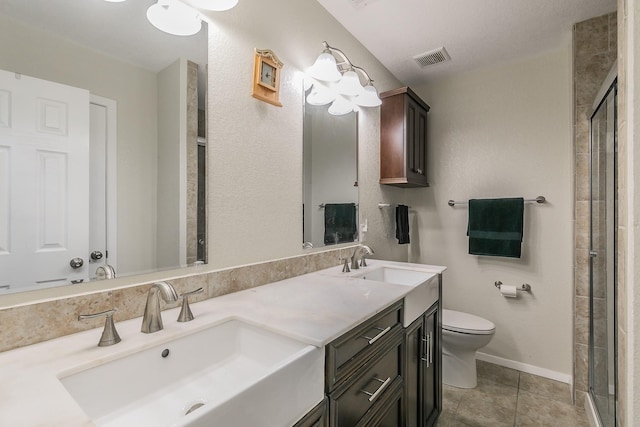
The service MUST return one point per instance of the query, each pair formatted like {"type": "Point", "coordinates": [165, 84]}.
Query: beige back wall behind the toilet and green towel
{"type": "Point", "coordinates": [505, 132]}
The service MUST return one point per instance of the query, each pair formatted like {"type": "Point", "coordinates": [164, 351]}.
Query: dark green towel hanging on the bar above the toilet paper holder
{"type": "Point", "coordinates": [495, 227]}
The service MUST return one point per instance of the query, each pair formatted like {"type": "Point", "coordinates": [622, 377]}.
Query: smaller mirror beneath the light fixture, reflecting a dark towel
{"type": "Point", "coordinates": [330, 187]}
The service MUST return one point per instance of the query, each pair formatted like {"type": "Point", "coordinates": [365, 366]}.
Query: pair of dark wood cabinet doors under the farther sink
{"type": "Point", "coordinates": [423, 368]}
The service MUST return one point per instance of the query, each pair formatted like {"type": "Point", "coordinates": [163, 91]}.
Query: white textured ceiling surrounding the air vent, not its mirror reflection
{"type": "Point", "coordinates": [476, 33]}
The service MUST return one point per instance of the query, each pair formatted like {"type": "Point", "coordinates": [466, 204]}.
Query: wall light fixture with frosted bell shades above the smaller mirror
{"type": "Point", "coordinates": [335, 80]}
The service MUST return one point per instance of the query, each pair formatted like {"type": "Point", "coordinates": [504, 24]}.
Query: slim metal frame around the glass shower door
{"type": "Point", "coordinates": [609, 86]}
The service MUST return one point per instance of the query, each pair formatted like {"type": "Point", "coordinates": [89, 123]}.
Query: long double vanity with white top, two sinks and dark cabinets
{"type": "Point", "coordinates": [326, 348]}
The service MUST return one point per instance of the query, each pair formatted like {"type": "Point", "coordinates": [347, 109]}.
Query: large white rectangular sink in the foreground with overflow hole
{"type": "Point", "coordinates": [231, 374]}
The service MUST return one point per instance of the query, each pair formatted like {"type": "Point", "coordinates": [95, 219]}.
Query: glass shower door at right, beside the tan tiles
{"type": "Point", "coordinates": [603, 258]}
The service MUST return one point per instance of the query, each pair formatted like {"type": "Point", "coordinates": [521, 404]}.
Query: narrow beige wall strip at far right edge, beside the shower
{"type": "Point", "coordinates": [628, 235]}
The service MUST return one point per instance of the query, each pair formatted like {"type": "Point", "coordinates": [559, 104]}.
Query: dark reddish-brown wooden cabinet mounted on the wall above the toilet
{"type": "Point", "coordinates": [403, 139]}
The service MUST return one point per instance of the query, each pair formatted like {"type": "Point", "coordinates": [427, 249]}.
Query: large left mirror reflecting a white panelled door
{"type": "Point", "coordinates": [102, 149]}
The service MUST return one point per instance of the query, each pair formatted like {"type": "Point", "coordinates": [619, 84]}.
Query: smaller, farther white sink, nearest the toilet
{"type": "Point", "coordinates": [425, 287]}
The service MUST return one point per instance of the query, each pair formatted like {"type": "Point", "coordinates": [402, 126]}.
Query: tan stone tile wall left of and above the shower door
{"type": "Point", "coordinates": [595, 51]}
